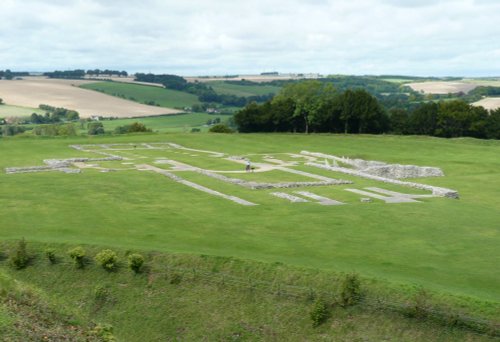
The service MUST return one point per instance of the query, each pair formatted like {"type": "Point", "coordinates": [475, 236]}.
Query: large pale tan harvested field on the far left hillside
{"type": "Point", "coordinates": [33, 91]}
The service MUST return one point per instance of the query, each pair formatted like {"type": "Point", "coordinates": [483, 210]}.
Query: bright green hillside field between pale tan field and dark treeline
{"type": "Point", "coordinates": [141, 93]}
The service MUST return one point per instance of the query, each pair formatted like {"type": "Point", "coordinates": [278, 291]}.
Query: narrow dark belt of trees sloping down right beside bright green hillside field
{"type": "Point", "coordinates": [204, 92]}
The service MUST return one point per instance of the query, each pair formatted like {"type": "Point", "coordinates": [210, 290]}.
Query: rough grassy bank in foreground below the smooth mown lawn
{"type": "Point", "coordinates": [196, 296]}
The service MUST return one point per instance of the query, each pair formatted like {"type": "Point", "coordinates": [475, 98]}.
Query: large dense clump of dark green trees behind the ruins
{"type": "Point", "coordinates": [314, 106]}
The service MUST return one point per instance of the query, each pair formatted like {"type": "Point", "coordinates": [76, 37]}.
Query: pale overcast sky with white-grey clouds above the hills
{"type": "Point", "coordinates": [209, 37]}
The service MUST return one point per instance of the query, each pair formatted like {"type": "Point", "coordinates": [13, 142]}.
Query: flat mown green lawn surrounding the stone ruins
{"type": "Point", "coordinates": [446, 245]}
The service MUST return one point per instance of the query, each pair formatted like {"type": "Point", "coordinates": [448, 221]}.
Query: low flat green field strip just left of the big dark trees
{"type": "Point", "coordinates": [168, 123]}
